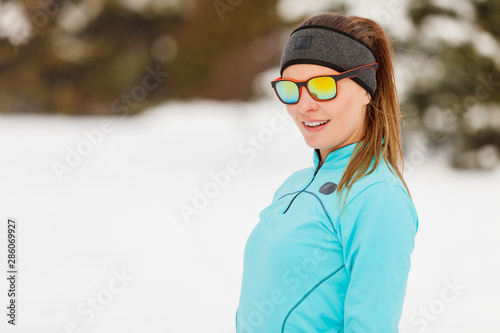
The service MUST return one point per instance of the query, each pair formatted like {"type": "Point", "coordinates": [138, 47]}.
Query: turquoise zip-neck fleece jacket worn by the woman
{"type": "Point", "coordinates": [307, 269]}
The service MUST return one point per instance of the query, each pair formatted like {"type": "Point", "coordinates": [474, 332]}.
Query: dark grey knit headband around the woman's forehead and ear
{"type": "Point", "coordinates": [333, 48]}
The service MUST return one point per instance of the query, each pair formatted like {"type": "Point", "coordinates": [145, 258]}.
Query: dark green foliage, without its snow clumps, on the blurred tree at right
{"type": "Point", "coordinates": [468, 89]}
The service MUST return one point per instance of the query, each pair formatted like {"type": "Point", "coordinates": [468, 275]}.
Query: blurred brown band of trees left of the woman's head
{"type": "Point", "coordinates": [113, 56]}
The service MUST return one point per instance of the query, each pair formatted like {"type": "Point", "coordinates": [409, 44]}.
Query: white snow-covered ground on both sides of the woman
{"type": "Point", "coordinates": [118, 214]}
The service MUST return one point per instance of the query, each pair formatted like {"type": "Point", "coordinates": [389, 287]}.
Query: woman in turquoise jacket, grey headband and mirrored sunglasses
{"type": "Point", "coordinates": [314, 262]}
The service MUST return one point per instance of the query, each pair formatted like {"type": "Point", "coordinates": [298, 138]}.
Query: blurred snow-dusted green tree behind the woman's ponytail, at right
{"type": "Point", "coordinates": [454, 63]}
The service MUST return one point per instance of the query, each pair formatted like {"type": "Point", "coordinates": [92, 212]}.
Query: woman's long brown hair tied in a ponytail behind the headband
{"type": "Point", "coordinates": [383, 114]}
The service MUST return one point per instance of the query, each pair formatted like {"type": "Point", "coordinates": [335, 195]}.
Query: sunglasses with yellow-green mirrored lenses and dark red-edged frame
{"type": "Point", "coordinates": [321, 88]}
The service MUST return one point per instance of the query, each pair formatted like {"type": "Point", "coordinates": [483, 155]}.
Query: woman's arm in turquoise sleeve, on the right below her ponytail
{"type": "Point", "coordinates": [377, 231]}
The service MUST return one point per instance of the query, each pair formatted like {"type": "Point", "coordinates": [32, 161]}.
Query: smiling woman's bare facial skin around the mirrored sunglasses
{"type": "Point", "coordinates": [345, 114]}
